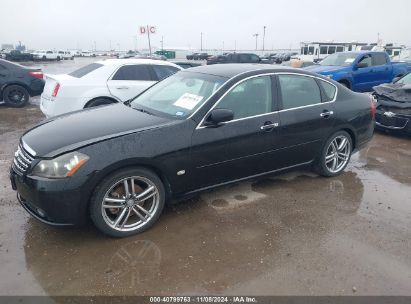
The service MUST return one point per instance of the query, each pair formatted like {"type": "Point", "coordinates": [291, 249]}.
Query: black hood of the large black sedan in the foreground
{"type": "Point", "coordinates": [71, 131]}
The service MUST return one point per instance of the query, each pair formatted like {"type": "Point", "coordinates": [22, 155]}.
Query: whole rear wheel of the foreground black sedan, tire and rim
{"type": "Point", "coordinates": [335, 154]}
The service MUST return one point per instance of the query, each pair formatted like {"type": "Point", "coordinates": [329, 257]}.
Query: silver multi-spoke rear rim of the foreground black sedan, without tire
{"type": "Point", "coordinates": [338, 153]}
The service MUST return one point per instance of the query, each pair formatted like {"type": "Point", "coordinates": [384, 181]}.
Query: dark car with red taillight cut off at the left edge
{"type": "Point", "coordinates": [18, 83]}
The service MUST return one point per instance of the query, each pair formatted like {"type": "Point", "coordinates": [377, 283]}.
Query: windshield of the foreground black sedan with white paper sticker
{"type": "Point", "coordinates": [178, 95]}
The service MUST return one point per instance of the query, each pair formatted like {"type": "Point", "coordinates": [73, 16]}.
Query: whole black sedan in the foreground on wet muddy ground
{"type": "Point", "coordinates": [197, 129]}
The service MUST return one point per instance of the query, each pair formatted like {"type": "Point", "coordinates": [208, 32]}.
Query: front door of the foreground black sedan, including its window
{"type": "Point", "coordinates": [241, 147]}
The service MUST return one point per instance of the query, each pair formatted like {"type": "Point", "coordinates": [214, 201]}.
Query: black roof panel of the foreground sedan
{"type": "Point", "coordinates": [229, 70]}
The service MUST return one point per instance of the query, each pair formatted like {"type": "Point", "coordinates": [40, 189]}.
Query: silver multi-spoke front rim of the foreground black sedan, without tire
{"type": "Point", "coordinates": [130, 203]}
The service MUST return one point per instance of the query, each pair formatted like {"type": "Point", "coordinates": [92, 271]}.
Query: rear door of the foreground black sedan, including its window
{"type": "Point", "coordinates": [306, 117]}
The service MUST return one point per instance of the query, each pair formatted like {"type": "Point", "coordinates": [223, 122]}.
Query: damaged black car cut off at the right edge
{"type": "Point", "coordinates": [393, 105]}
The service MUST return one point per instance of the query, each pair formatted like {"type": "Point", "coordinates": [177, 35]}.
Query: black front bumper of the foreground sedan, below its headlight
{"type": "Point", "coordinates": [52, 202]}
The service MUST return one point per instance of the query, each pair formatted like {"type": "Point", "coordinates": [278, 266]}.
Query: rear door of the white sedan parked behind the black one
{"type": "Point", "coordinates": [129, 80]}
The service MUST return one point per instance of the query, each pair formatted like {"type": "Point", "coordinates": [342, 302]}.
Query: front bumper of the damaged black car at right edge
{"type": "Point", "coordinates": [389, 120]}
